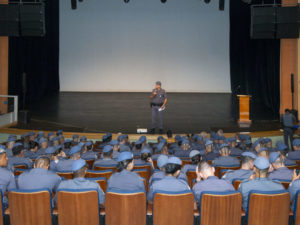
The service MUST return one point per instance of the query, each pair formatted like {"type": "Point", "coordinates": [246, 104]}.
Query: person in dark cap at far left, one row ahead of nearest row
{"type": "Point", "coordinates": [18, 157]}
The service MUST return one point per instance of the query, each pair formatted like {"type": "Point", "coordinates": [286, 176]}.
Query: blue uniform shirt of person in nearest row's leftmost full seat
{"type": "Point", "coordinates": [39, 178]}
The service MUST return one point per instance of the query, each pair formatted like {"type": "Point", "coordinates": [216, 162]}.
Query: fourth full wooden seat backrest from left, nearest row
{"type": "Point", "coordinates": [173, 208]}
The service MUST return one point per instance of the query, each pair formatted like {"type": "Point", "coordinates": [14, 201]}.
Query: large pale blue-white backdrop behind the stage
{"type": "Point", "coordinates": [107, 45]}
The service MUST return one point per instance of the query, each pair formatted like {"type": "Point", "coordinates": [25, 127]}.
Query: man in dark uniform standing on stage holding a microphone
{"type": "Point", "coordinates": [158, 102]}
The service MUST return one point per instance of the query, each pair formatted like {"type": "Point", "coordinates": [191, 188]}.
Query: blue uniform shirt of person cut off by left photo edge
{"type": "Point", "coordinates": [7, 182]}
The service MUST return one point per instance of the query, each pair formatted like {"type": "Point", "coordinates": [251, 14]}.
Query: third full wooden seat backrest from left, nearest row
{"type": "Point", "coordinates": [125, 208]}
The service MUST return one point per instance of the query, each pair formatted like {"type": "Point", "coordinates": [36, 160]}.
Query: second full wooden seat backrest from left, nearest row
{"type": "Point", "coordinates": [78, 207]}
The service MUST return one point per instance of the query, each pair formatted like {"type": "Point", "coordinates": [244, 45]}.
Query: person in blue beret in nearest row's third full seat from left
{"type": "Point", "coordinates": [125, 179]}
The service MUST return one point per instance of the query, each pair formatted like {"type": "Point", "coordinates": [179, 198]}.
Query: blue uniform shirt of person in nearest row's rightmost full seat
{"type": "Point", "coordinates": [258, 184]}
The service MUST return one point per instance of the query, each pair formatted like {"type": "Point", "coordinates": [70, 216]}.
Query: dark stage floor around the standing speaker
{"type": "Point", "coordinates": [125, 112]}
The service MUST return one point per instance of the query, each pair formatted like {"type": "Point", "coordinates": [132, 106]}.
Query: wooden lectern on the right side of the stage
{"type": "Point", "coordinates": [244, 110]}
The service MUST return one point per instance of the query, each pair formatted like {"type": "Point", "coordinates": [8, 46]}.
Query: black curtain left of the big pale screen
{"type": "Point", "coordinates": [38, 58]}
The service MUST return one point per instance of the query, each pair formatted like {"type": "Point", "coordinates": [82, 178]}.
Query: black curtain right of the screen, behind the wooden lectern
{"type": "Point", "coordinates": [254, 64]}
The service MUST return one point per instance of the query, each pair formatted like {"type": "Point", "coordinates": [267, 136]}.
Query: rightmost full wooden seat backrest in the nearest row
{"type": "Point", "coordinates": [268, 208]}
